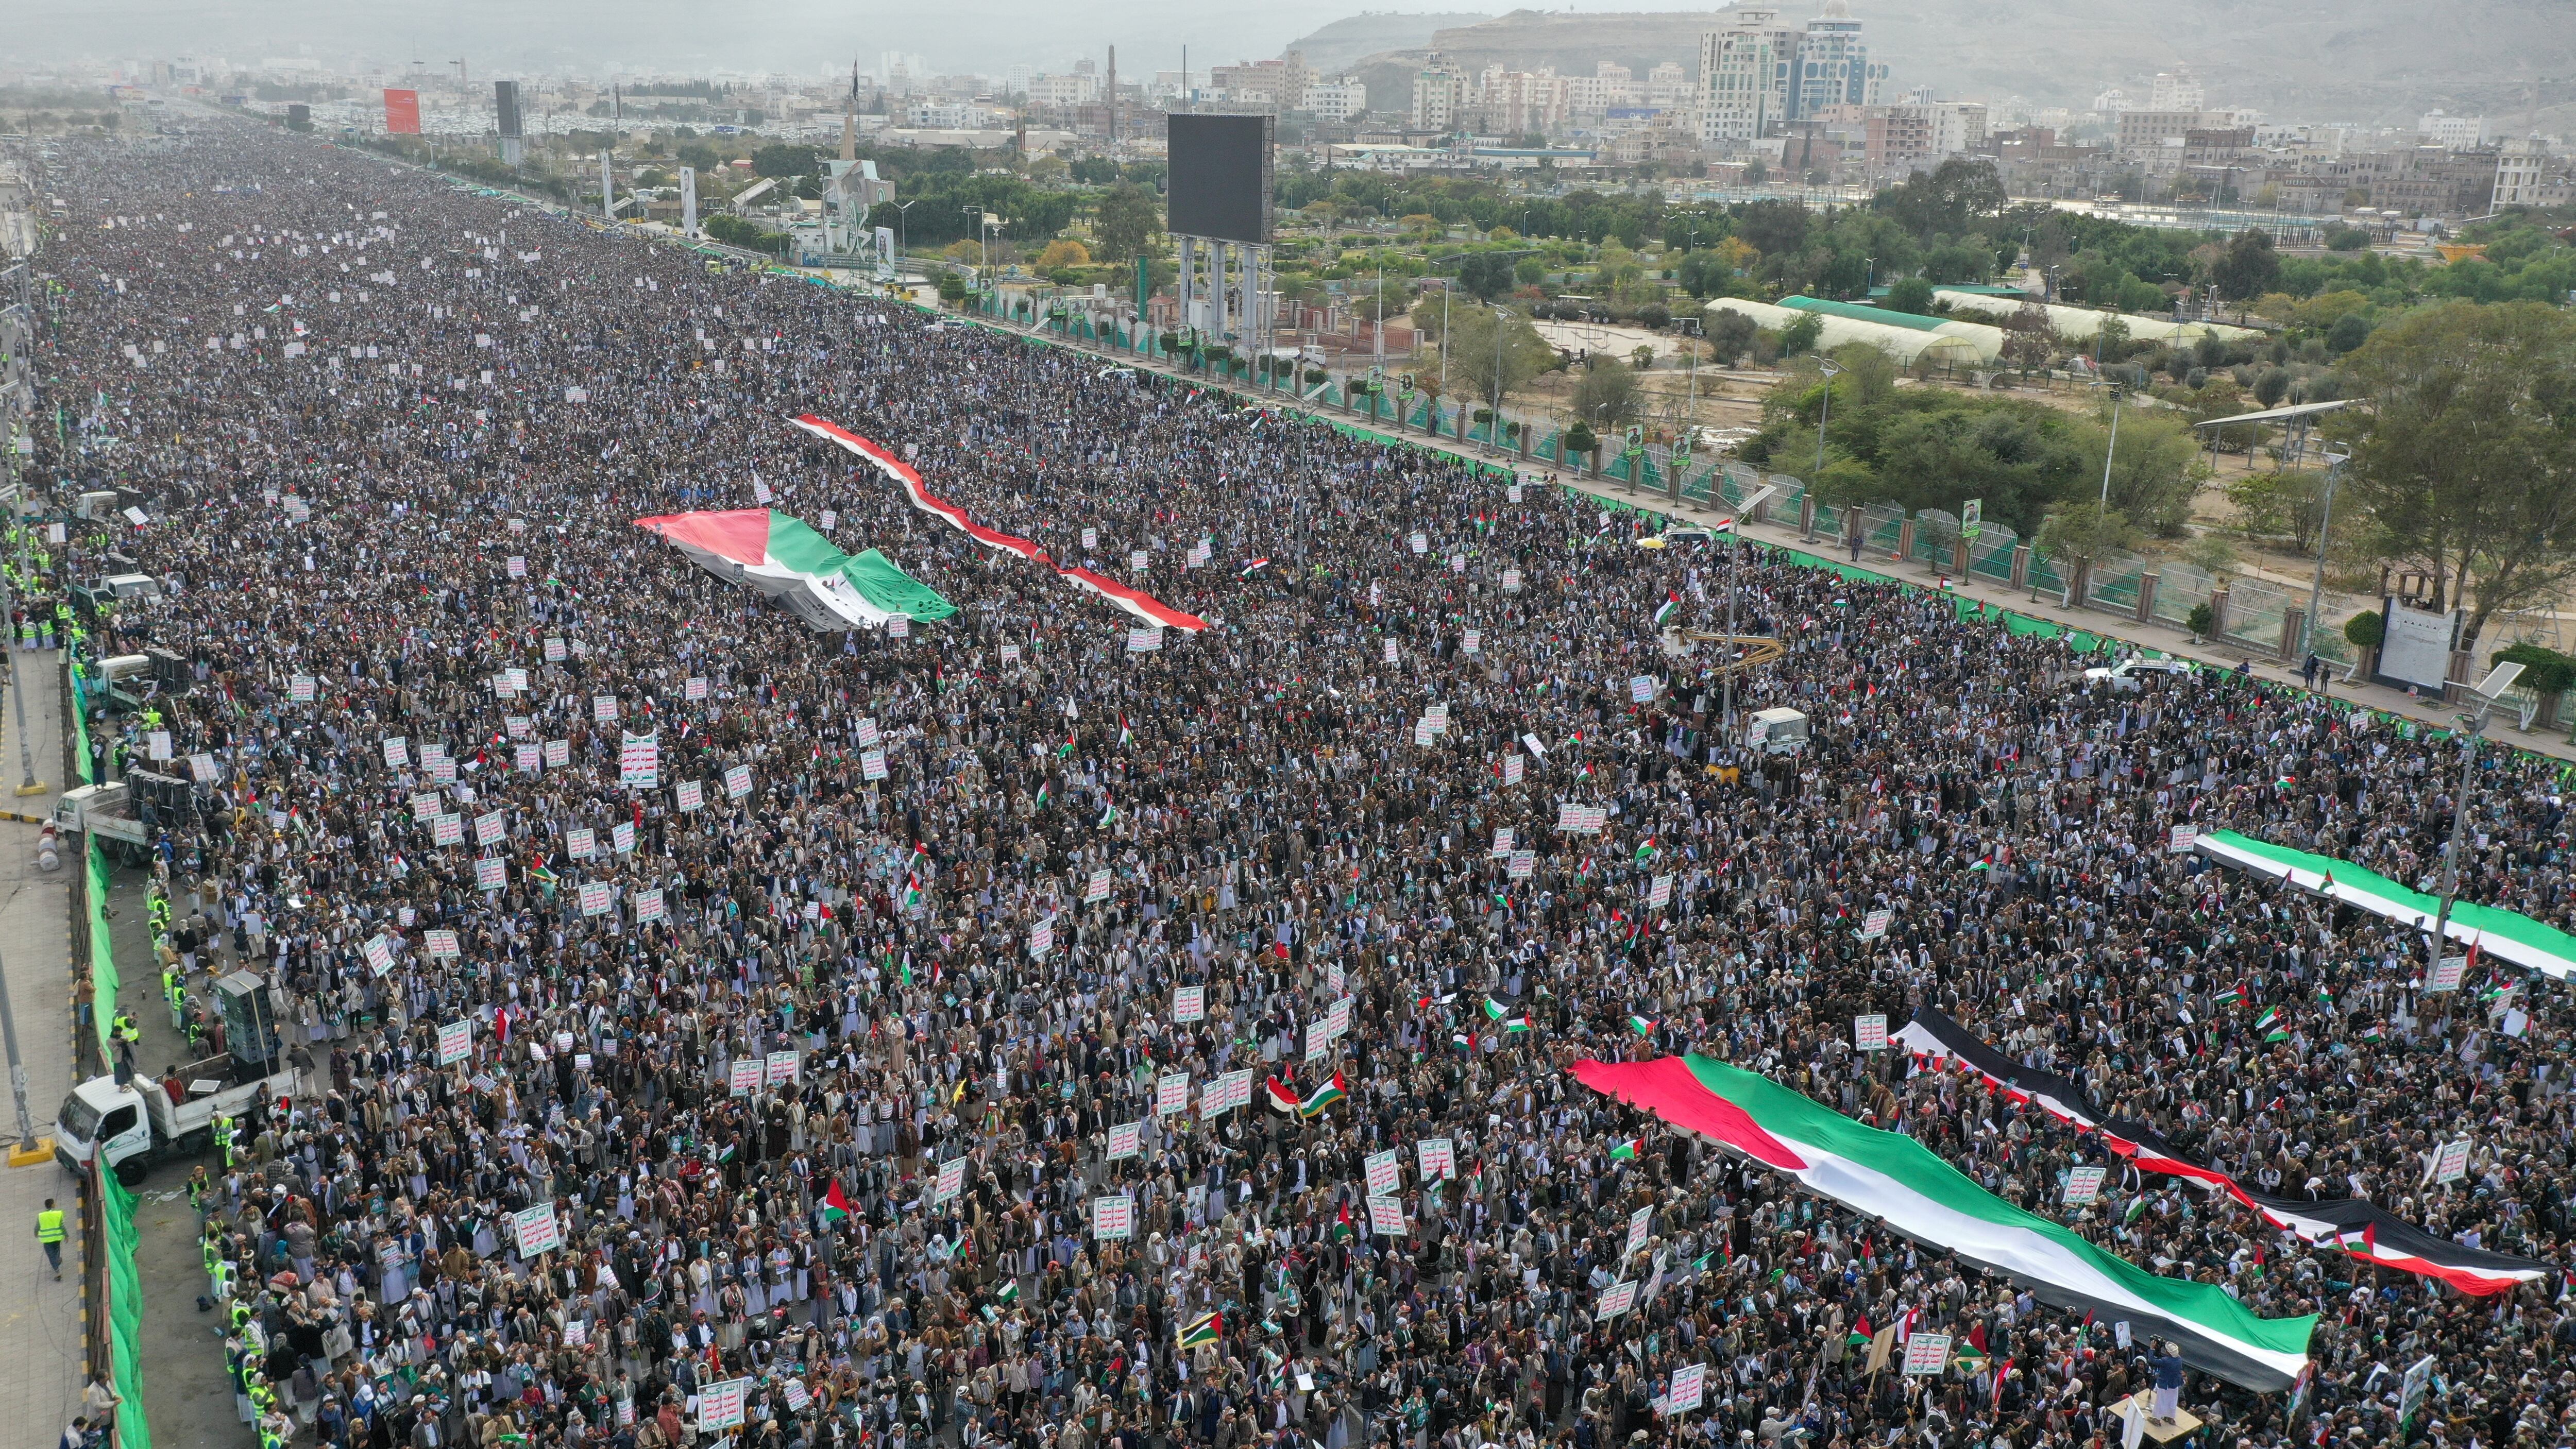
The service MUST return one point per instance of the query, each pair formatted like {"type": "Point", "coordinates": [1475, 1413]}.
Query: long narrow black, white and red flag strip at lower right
{"type": "Point", "coordinates": [2351, 1224]}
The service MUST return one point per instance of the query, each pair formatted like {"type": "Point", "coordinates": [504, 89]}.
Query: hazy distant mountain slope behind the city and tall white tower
{"type": "Point", "coordinates": [2309, 60]}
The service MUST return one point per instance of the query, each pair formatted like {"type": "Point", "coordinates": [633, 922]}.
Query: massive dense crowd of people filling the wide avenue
{"type": "Point", "coordinates": [820, 1098]}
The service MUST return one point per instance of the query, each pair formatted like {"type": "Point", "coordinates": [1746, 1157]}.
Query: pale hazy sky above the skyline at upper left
{"type": "Point", "coordinates": [511, 37]}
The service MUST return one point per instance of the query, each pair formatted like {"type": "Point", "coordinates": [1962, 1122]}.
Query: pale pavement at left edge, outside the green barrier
{"type": "Point", "coordinates": [40, 1319]}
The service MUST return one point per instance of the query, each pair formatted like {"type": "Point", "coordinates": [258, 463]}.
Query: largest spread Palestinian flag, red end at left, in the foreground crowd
{"type": "Point", "coordinates": [1900, 1183]}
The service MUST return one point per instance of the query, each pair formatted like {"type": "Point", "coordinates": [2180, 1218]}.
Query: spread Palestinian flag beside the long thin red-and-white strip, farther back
{"type": "Point", "coordinates": [790, 562]}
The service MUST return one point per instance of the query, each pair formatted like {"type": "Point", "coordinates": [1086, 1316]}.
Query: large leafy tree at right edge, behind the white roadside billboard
{"type": "Point", "coordinates": [2467, 452]}
